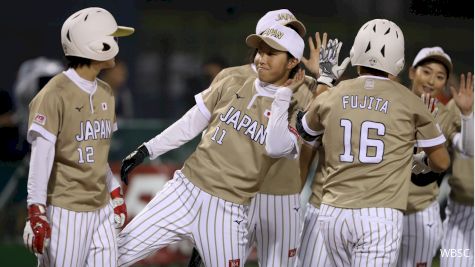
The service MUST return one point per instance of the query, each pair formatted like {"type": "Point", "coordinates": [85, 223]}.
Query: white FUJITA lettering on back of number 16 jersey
{"type": "Point", "coordinates": [365, 102]}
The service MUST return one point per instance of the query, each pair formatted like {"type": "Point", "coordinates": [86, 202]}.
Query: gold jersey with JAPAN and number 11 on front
{"type": "Point", "coordinates": [230, 161]}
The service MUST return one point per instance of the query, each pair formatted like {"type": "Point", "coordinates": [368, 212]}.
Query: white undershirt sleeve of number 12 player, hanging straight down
{"type": "Point", "coordinates": [41, 162]}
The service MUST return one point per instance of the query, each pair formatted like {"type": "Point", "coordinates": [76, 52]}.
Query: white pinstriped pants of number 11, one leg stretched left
{"type": "Point", "coordinates": [180, 211]}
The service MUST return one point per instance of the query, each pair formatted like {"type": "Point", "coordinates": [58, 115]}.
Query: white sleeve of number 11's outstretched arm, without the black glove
{"type": "Point", "coordinates": [180, 132]}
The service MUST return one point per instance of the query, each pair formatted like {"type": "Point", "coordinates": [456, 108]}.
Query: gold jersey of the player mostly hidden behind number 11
{"type": "Point", "coordinates": [282, 178]}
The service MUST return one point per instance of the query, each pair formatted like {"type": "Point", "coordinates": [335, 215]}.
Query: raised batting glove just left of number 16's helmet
{"type": "Point", "coordinates": [330, 71]}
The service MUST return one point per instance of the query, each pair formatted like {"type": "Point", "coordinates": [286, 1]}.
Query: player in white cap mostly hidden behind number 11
{"type": "Point", "coordinates": [274, 212]}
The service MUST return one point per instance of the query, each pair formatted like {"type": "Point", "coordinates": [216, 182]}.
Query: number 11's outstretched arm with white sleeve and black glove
{"type": "Point", "coordinates": [182, 131]}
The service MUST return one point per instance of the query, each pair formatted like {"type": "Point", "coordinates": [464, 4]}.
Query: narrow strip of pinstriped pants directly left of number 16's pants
{"type": "Point", "coordinates": [312, 251]}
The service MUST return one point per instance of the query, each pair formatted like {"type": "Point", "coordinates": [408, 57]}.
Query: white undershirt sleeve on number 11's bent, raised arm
{"type": "Point", "coordinates": [280, 141]}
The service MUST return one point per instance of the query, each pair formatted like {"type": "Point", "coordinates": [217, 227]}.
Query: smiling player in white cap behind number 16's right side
{"type": "Point", "coordinates": [422, 230]}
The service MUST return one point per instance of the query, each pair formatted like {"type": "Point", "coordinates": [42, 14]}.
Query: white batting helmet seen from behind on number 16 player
{"type": "Point", "coordinates": [379, 44]}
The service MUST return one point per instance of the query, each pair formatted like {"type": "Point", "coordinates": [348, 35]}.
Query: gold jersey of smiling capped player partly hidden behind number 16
{"type": "Point", "coordinates": [420, 197]}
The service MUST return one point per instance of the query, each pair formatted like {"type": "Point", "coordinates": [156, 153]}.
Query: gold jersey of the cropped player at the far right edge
{"type": "Point", "coordinates": [461, 179]}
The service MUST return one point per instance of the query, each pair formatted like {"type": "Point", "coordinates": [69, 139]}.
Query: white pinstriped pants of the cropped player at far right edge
{"type": "Point", "coordinates": [458, 234]}
